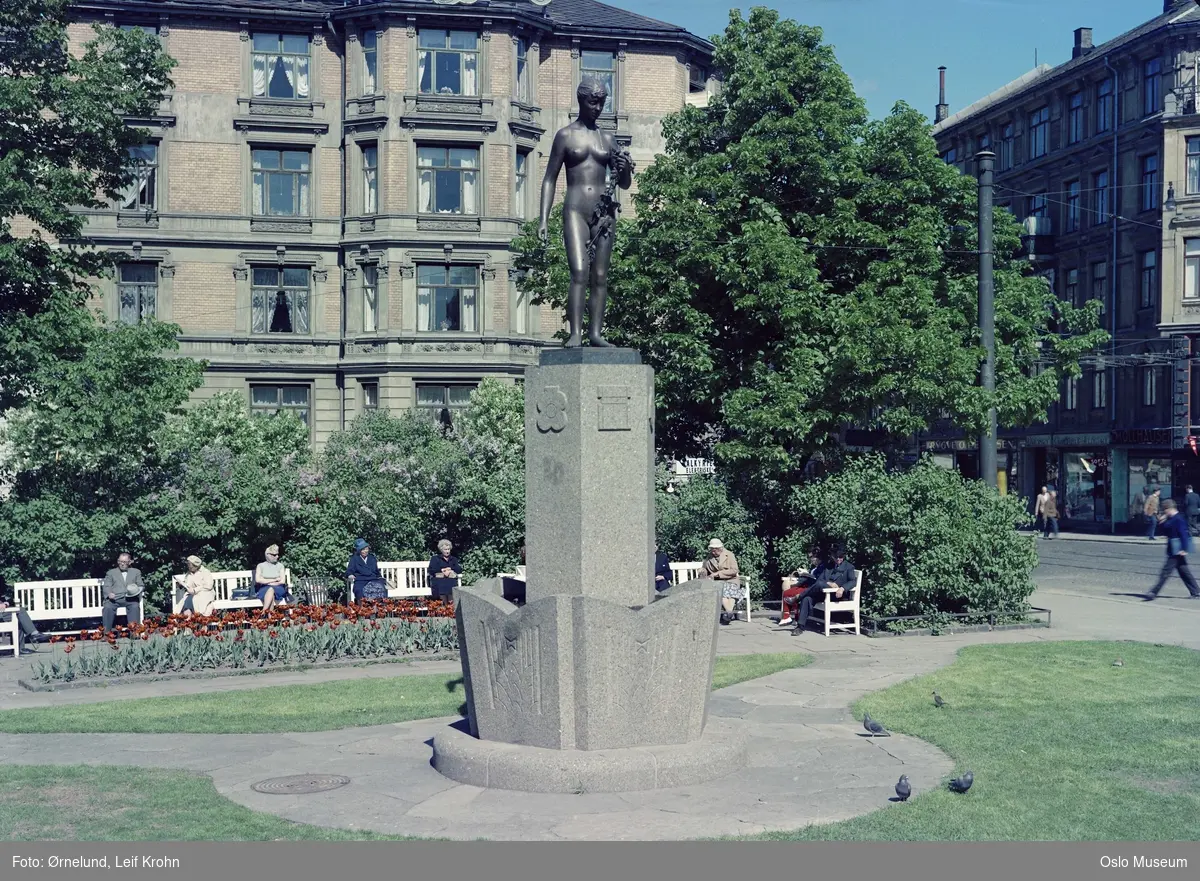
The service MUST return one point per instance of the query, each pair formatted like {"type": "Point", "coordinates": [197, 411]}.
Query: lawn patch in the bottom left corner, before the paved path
{"type": "Point", "coordinates": [83, 804]}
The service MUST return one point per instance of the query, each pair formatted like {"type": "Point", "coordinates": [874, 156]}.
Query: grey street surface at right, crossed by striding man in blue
{"type": "Point", "coordinates": [1109, 570]}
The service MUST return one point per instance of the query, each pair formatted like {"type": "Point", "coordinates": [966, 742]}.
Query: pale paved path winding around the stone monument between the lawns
{"type": "Point", "coordinates": [811, 765]}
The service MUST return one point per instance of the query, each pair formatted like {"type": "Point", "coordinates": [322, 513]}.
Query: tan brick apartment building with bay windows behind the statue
{"type": "Point", "coordinates": [329, 194]}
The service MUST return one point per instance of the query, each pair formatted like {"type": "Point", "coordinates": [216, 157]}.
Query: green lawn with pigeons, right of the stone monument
{"type": "Point", "coordinates": [1064, 746]}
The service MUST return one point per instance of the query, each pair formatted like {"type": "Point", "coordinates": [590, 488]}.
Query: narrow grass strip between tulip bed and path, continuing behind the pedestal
{"type": "Point", "coordinates": [320, 708]}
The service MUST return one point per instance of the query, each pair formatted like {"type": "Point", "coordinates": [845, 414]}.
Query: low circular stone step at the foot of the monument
{"type": "Point", "coordinates": [721, 751]}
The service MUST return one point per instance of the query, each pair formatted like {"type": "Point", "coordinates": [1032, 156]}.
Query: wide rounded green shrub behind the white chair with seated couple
{"type": "Point", "coordinates": [928, 541]}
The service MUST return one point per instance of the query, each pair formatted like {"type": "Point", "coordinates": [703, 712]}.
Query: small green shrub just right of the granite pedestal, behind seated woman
{"type": "Point", "coordinates": [700, 510]}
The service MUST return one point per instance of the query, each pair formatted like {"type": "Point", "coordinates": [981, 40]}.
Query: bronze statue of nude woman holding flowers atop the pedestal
{"type": "Point", "coordinates": [590, 211]}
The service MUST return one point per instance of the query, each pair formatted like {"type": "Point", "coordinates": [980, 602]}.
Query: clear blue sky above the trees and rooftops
{"type": "Point", "coordinates": [892, 49]}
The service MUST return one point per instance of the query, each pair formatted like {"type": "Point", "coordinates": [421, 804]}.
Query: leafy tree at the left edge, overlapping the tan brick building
{"type": "Point", "coordinates": [64, 146]}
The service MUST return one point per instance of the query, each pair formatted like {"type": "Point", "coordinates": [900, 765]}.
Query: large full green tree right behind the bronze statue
{"type": "Point", "coordinates": [795, 271]}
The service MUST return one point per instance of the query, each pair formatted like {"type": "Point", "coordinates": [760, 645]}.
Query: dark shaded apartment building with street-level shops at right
{"type": "Point", "coordinates": [1100, 158]}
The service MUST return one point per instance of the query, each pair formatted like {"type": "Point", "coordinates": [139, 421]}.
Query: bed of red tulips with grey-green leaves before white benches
{"type": "Point", "coordinates": [245, 639]}
